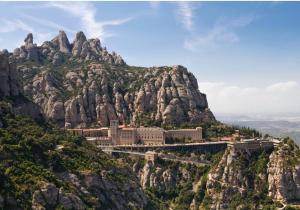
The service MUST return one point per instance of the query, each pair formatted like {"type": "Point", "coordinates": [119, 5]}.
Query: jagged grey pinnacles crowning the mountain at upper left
{"type": "Point", "coordinates": [59, 50]}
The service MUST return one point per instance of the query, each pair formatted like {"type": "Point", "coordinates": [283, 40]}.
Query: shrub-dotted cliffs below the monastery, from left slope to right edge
{"type": "Point", "coordinates": [234, 178]}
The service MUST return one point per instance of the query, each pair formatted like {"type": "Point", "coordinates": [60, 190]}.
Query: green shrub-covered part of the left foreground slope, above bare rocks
{"type": "Point", "coordinates": [29, 156]}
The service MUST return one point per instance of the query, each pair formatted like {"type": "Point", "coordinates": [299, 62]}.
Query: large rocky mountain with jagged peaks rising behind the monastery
{"type": "Point", "coordinates": [81, 84]}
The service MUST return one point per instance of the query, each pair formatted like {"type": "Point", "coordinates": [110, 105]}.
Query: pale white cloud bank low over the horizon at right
{"type": "Point", "coordinates": [276, 97]}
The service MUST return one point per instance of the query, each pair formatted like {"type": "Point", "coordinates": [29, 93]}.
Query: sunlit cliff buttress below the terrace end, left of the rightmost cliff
{"type": "Point", "coordinates": [234, 176]}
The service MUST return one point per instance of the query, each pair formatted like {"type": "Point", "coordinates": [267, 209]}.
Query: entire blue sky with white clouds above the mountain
{"type": "Point", "coordinates": [245, 55]}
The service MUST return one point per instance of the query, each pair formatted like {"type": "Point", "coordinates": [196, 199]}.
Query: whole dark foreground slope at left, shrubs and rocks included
{"type": "Point", "coordinates": [43, 167]}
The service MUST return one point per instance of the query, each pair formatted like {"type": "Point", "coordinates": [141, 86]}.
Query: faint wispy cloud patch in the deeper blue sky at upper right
{"type": "Point", "coordinates": [223, 31]}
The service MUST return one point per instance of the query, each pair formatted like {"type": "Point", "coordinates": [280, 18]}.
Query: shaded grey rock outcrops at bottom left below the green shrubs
{"type": "Point", "coordinates": [108, 194]}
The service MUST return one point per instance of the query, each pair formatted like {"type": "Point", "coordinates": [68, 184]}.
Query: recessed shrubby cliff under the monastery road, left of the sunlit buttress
{"type": "Point", "coordinates": [175, 185]}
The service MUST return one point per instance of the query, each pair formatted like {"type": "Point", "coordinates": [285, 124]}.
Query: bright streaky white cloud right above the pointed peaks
{"type": "Point", "coordinates": [86, 12]}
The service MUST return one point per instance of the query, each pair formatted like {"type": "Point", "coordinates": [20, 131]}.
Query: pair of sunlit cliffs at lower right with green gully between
{"type": "Point", "coordinates": [266, 177]}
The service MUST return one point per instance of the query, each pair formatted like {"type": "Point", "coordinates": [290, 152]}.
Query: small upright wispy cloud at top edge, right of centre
{"type": "Point", "coordinates": [185, 15]}
